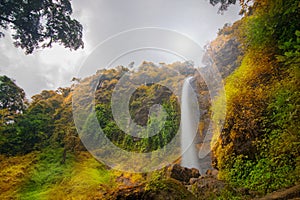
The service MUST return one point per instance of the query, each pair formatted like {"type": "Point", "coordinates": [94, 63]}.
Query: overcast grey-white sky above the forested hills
{"type": "Point", "coordinates": [101, 19]}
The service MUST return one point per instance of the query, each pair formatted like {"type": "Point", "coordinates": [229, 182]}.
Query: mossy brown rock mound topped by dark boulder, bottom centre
{"type": "Point", "coordinates": [171, 185]}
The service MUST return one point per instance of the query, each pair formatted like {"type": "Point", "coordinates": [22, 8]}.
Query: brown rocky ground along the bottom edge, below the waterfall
{"type": "Point", "coordinates": [178, 182]}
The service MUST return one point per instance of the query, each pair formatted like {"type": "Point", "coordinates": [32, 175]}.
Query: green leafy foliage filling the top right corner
{"type": "Point", "coordinates": [268, 26]}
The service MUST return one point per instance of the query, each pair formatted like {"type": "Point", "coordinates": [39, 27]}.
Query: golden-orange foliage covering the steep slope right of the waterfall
{"type": "Point", "coordinates": [246, 96]}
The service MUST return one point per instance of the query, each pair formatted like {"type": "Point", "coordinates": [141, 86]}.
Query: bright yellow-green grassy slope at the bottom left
{"type": "Point", "coordinates": [80, 177]}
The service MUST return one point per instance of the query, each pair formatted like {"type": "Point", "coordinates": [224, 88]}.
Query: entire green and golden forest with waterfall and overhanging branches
{"type": "Point", "coordinates": [76, 142]}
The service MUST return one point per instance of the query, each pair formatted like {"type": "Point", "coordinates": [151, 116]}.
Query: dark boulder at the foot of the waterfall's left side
{"type": "Point", "coordinates": [182, 174]}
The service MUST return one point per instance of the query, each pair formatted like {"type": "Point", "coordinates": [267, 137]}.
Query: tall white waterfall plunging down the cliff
{"type": "Point", "coordinates": [189, 125]}
